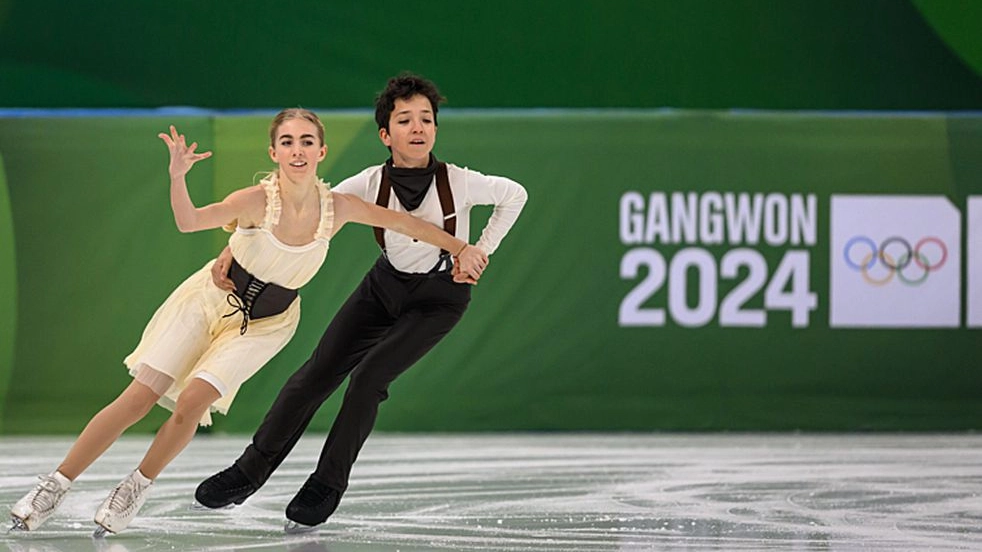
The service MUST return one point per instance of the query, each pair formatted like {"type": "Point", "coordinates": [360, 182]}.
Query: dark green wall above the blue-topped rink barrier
{"type": "Point", "coordinates": [766, 54]}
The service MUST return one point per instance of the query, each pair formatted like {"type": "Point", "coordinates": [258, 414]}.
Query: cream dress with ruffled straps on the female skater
{"type": "Point", "coordinates": [197, 331]}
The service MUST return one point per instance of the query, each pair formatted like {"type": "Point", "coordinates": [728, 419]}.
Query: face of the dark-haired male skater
{"type": "Point", "coordinates": [412, 132]}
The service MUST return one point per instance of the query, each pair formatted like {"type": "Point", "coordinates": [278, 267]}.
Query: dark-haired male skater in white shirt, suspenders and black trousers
{"type": "Point", "coordinates": [410, 299]}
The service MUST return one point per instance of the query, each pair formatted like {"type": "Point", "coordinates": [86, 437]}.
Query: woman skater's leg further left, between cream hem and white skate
{"type": "Point", "coordinates": [105, 427]}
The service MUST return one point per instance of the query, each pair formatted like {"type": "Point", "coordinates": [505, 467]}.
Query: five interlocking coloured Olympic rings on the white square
{"type": "Point", "coordinates": [897, 256]}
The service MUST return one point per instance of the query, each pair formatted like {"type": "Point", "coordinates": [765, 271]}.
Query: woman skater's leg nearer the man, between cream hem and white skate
{"type": "Point", "coordinates": [178, 430]}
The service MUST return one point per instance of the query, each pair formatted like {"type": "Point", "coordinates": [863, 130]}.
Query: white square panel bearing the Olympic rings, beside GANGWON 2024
{"type": "Point", "coordinates": [895, 262]}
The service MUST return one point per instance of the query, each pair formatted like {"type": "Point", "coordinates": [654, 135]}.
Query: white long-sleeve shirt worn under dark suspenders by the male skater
{"type": "Point", "coordinates": [469, 188]}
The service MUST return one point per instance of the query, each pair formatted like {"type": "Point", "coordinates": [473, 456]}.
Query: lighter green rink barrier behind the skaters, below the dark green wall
{"type": "Point", "coordinates": [541, 348]}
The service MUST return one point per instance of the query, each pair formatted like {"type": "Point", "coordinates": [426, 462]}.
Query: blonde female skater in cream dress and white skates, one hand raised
{"type": "Point", "coordinates": [203, 343]}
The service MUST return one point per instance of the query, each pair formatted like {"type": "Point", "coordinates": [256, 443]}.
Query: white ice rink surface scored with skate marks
{"type": "Point", "coordinates": [550, 492]}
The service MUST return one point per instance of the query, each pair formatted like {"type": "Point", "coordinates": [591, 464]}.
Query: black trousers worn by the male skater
{"type": "Point", "coordinates": [389, 322]}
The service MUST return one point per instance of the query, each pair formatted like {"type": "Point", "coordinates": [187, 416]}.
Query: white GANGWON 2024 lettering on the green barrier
{"type": "Point", "coordinates": [724, 237]}
